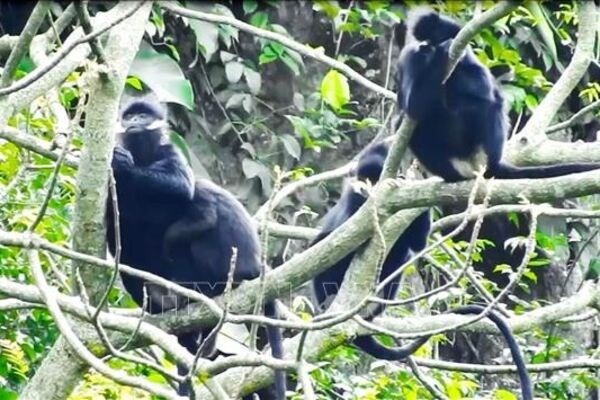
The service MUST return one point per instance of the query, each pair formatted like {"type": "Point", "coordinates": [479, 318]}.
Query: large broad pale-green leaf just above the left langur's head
{"type": "Point", "coordinates": [162, 74]}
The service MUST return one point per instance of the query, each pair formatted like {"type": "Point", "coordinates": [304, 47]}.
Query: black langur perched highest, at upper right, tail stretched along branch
{"type": "Point", "coordinates": [461, 125]}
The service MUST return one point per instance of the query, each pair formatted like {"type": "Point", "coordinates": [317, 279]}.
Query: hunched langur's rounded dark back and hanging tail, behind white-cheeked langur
{"type": "Point", "coordinates": [200, 243]}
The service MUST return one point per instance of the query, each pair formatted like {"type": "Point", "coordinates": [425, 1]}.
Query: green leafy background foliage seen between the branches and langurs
{"type": "Point", "coordinates": [253, 115]}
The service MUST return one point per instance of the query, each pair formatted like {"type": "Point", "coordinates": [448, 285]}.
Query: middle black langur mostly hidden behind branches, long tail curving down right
{"type": "Point", "coordinates": [413, 239]}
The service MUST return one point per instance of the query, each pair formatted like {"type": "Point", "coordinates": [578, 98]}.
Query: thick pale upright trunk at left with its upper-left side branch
{"type": "Point", "coordinates": [88, 231]}
